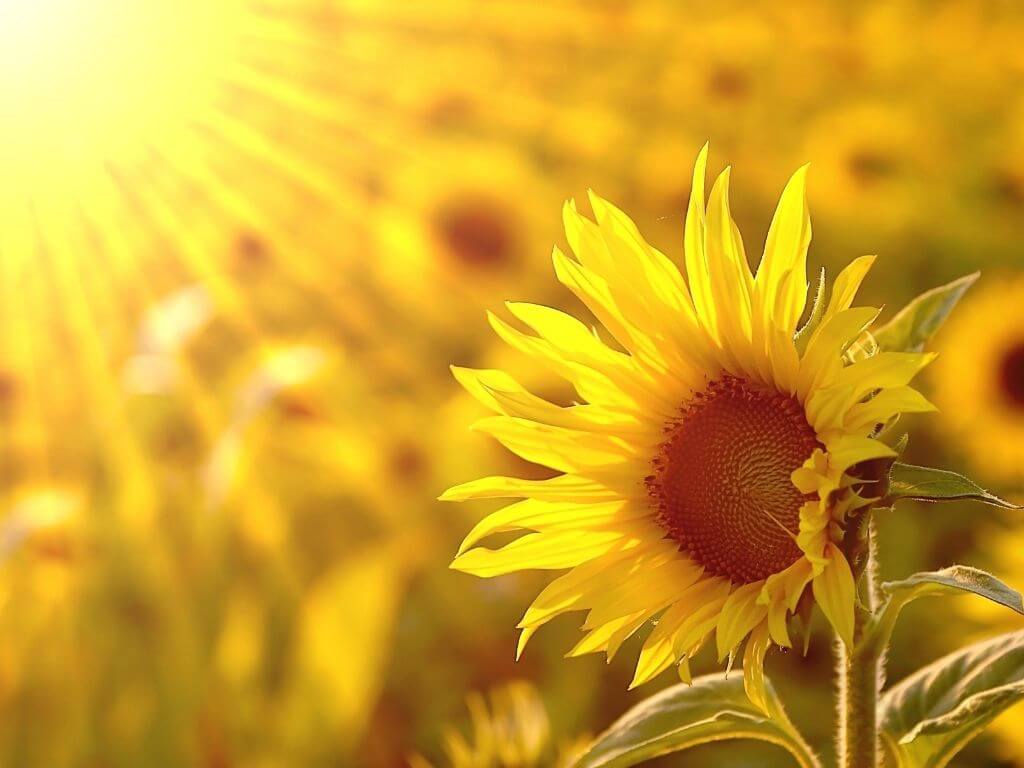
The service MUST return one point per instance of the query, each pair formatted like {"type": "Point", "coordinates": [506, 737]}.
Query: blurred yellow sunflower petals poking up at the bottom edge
{"type": "Point", "coordinates": [513, 733]}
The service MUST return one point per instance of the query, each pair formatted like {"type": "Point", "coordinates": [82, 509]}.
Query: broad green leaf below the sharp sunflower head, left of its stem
{"type": "Point", "coordinates": [712, 709]}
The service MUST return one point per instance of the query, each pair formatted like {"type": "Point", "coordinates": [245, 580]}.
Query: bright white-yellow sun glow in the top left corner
{"type": "Point", "coordinates": [86, 80]}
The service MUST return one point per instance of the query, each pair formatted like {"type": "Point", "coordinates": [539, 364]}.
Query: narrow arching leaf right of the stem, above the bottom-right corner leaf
{"type": "Point", "coordinates": [952, 581]}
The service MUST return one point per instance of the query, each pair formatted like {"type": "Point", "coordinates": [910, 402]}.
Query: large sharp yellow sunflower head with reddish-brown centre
{"type": "Point", "coordinates": [706, 478]}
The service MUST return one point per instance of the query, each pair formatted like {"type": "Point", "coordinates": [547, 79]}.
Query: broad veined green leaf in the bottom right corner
{"type": "Point", "coordinates": [929, 717]}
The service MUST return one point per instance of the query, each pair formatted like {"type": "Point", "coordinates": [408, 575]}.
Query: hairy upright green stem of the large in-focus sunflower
{"type": "Point", "coordinates": [861, 670]}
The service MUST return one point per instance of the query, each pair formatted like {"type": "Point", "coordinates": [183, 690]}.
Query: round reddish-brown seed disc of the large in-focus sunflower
{"type": "Point", "coordinates": [721, 481]}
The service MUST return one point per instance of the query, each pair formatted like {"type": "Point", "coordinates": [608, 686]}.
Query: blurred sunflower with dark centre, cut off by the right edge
{"type": "Point", "coordinates": [979, 380]}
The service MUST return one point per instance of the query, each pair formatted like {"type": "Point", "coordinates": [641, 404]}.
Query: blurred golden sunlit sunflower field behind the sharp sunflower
{"type": "Point", "coordinates": [240, 242]}
